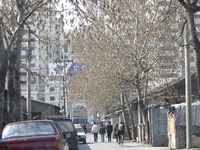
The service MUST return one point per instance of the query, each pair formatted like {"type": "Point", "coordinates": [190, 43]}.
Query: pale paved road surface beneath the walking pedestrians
{"type": "Point", "coordinates": [114, 146]}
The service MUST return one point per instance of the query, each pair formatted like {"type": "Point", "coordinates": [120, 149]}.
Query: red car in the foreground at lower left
{"type": "Point", "coordinates": [32, 135]}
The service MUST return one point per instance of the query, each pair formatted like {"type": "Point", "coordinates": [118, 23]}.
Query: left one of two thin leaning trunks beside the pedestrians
{"type": "Point", "coordinates": [124, 117]}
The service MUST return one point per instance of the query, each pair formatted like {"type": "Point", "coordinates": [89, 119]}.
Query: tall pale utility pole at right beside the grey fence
{"type": "Point", "coordinates": [188, 90]}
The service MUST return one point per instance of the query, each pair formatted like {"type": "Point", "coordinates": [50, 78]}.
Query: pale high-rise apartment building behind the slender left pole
{"type": "Point", "coordinates": [42, 46]}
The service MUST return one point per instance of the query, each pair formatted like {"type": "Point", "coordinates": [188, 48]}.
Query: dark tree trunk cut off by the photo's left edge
{"type": "Point", "coordinates": [3, 68]}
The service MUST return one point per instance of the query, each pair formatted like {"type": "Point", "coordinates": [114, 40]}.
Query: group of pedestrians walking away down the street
{"type": "Point", "coordinates": [108, 130]}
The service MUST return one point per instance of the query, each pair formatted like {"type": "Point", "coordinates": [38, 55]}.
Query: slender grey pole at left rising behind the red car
{"type": "Point", "coordinates": [28, 104]}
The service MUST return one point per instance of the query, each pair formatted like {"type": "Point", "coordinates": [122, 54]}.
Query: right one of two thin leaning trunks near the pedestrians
{"type": "Point", "coordinates": [130, 113]}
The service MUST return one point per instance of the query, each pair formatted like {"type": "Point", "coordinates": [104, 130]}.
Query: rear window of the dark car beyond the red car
{"type": "Point", "coordinates": [65, 126]}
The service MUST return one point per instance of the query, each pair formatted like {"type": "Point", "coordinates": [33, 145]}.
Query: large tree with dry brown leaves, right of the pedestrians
{"type": "Point", "coordinates": [121, 45]}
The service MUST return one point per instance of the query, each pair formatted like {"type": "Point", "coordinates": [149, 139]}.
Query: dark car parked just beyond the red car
{"type": "Point", "coordinates": [68, 130]}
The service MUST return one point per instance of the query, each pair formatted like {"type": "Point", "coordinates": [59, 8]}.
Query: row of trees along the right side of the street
{"type": "Point", "coordinates": [127, 46]}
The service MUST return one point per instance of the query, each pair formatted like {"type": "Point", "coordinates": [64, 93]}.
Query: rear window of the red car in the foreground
{"type": "Point", "coordinates": [28, 129]}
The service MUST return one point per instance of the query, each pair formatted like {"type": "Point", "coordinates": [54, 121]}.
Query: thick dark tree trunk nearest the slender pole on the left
{"type": "Point", "coordinates": [14, 91]}
